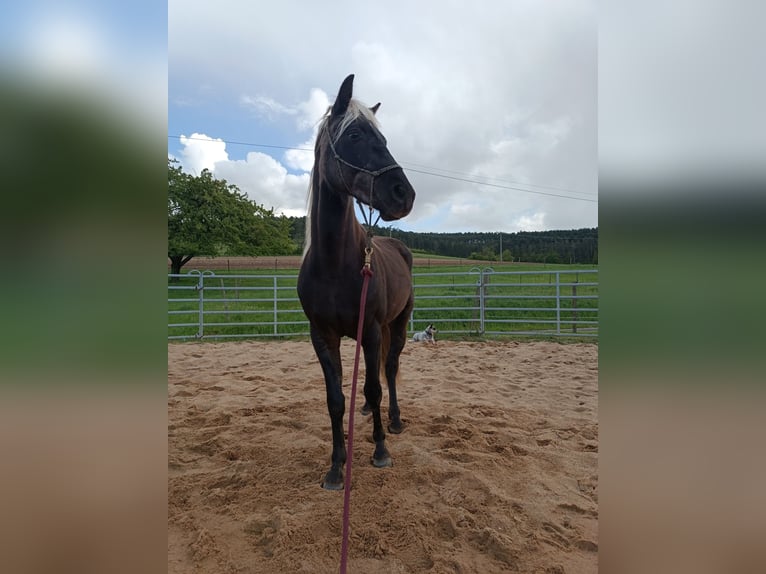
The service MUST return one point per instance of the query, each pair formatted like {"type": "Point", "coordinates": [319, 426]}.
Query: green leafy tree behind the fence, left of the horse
{"type": "Point", "coordinates": [207, 216]}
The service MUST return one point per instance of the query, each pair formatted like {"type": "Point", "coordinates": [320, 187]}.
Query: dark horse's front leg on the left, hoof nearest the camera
{"type": "Point", "coordinates": [328, 352]}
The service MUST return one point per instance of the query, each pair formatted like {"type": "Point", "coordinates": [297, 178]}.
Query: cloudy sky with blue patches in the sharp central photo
{"type": "Point", "coordinates": [490, 107]}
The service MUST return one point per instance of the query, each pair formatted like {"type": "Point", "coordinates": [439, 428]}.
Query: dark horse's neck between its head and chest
{"type": "Point", "coordinates": [337, 239]}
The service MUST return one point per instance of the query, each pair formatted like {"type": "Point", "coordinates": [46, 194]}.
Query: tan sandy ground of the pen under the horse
{"type": "Point", "coordinates": [495, 472]}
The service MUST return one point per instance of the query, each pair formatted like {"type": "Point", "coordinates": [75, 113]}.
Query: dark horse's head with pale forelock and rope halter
{"type": "Point", "coordinates": [357, 160]}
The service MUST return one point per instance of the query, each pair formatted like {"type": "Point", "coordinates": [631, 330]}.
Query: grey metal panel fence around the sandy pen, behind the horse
{"type": "Point", "coordinates": [481, 301]}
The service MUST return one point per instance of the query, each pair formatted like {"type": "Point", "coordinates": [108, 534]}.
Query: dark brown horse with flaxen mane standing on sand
{"type": "Point", "coordinates": [352, 162]}
